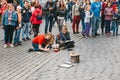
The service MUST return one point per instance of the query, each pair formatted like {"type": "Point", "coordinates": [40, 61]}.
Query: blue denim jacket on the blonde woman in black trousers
{"type": "Point", "coordinates": [5, 18]}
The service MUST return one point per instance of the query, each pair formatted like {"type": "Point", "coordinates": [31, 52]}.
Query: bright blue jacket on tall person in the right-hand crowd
{"type": "Point", "coordinates": [96, 8]}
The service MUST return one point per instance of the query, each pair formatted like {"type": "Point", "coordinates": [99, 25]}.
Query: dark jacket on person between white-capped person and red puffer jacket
{"type": "Point", "coordinates": [26, 14]}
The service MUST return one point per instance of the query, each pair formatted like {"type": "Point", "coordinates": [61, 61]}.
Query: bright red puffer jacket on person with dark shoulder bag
{"type": "Point", "coordinates": [33, 17]}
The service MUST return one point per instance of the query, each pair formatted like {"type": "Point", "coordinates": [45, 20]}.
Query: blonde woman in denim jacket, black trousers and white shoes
{"type": "Point", "coordinates": [9, 20]}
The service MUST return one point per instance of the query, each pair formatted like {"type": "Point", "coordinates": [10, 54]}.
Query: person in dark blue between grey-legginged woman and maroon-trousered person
{"type": "Point", "coordinates": [68, 11]}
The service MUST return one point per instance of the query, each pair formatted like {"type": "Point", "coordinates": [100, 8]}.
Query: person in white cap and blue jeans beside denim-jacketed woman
{"type": "Point", "coordinates": [18, 30]}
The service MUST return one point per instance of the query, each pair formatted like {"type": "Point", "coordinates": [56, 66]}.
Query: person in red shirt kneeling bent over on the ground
{"type": "Point", "coordinates": [42, 42]}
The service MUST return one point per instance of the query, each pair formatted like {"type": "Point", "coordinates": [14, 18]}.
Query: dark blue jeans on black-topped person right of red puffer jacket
{"type": "Point", "coordinates": [48, 19]}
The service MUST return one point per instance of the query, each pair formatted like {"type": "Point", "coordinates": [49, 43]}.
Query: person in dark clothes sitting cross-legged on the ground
{"type": "Point", "coordinates": [63, 39]}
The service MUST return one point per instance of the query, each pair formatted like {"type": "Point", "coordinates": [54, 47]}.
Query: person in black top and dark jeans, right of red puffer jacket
{"type": "Point", "coordinates": [50, 6]}
